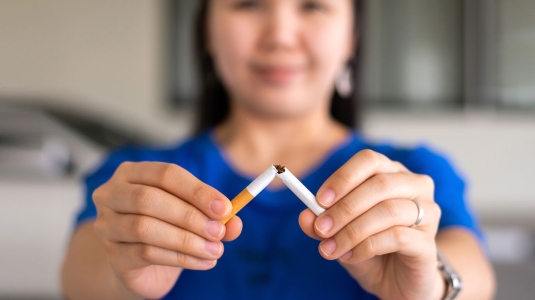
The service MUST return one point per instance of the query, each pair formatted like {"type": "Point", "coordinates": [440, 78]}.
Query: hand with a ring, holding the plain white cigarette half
{"type": "Point", "coordinates": [366, 226]}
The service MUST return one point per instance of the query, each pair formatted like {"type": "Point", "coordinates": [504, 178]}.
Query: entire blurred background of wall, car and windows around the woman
{"type": "Point", "coordinates": [78, 78]}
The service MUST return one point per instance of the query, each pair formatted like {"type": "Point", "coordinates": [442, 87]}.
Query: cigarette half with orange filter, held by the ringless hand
{"type": "Point", "coordinates": [253, 189]}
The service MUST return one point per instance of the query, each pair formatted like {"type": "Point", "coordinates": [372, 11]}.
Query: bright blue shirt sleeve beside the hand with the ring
{"type": "Point", "coordinates": [450, 189]}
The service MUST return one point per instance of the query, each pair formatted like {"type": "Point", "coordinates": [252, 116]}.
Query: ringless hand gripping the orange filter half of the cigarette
{"type": "Point", "coordinates": [155, 220]}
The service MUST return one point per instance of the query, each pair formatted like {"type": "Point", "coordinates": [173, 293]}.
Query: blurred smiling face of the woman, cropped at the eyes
{"type": "Point", "coordinates": [280, 58]}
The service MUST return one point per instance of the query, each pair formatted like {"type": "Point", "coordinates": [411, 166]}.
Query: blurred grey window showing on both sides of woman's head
{"type": "Point", "coordinates": [417, 54]}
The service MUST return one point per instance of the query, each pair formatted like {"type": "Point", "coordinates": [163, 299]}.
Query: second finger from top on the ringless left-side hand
{"type": "Point", "coordinates": [150, 201]}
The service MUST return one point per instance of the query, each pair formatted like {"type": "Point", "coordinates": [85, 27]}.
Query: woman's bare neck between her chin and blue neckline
{"type": "Point", "coordinates": [253, 142]}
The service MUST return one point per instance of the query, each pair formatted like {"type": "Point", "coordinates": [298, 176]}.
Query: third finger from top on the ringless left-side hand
{"type": "Point", "coordinates": [151, 231]}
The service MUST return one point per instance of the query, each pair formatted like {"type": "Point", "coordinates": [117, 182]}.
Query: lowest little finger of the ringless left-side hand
{"type": "Point", "coordinates": [138, 255]}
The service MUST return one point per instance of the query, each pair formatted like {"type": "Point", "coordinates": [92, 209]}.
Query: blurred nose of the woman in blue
{"type": "Point", "coordinates": [281, 28]}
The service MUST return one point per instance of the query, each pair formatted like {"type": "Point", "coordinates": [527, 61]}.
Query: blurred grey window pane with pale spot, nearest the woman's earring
{"type": "Point", "coordinates": [412, 51]}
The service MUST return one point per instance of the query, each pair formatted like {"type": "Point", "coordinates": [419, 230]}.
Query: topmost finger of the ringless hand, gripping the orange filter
{"type": "Point", "coordinates": [180, 183]}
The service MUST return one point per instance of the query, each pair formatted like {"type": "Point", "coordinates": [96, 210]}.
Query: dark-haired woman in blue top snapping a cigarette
{"type": "Point", "coordinates": [269, 69]}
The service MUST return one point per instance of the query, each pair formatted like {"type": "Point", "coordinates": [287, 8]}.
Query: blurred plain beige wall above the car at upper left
{"type": "Point", "coordinates": [105, 58]}
